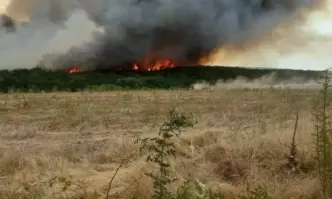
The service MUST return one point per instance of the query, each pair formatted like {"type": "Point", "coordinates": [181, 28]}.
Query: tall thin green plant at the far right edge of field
{"type": "Point", "coordinates": [323, 142]}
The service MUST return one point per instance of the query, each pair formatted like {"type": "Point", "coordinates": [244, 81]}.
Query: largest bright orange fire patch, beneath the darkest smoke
{"type": "Point", "coordinates": [157, 65]}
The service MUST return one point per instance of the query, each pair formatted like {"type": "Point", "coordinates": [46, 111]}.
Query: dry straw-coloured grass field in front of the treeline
{"type": "Point", "coordinates": [68, 145]}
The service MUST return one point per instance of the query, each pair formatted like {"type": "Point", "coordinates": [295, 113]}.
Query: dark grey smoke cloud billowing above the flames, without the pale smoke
{"type": "Point", "coordinates": [183, 30]}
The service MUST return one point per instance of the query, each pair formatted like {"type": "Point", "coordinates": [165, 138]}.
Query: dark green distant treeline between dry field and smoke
{"type": "Point", "coordinates": [35, 80]}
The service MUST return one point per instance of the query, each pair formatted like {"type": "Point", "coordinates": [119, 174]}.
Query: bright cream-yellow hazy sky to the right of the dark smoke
{"type": "Point", "coordinates": [305, 45]}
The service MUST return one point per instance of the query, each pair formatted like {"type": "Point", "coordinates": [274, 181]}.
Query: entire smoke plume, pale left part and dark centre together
{"type": "Point", "coordinates": [104, 33]}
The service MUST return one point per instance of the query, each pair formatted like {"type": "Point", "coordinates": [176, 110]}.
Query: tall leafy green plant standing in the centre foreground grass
{"type": "Point", "coordinates": [160, 147]}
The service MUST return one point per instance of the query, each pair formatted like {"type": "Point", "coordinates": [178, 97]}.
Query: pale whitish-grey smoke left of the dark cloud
{"type": "Point", "coordinates": [51, 30]}
